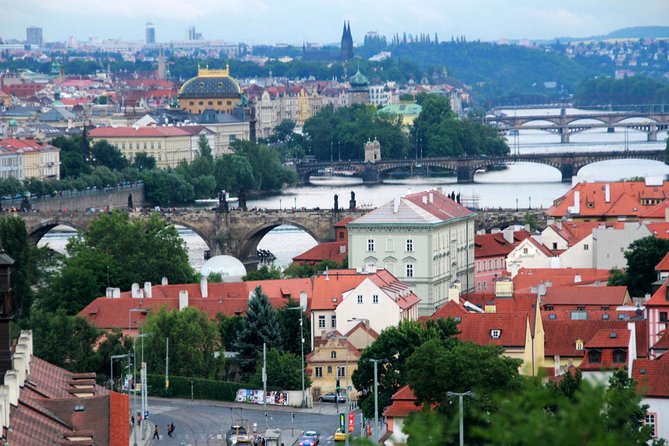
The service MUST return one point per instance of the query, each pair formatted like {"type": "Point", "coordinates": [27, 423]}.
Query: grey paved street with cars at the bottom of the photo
{"type": "Point", "coordinates": [205, 422]}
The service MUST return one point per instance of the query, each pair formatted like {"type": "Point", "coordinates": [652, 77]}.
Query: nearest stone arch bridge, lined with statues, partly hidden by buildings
{"type": "Point", "coordinates": [238, 232]}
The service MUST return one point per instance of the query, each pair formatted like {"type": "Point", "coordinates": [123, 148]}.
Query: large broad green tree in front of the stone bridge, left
{"type": "Point", "coordinates": [117, 250]}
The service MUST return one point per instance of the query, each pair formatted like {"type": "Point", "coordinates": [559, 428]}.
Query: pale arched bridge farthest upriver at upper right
{"type": "Point", "coordinates": [567, 124]}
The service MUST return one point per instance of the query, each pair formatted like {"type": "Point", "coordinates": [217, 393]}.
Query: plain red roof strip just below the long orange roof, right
{"type": "Point", "coordinates": [586, 295]}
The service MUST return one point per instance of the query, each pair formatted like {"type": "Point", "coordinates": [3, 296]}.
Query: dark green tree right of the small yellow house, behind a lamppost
{"type": "Point", "coordinates": [394, 346]}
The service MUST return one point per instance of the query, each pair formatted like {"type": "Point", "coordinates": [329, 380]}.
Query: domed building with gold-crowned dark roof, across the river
{"type": "Point", "coordinates": [212, 89]}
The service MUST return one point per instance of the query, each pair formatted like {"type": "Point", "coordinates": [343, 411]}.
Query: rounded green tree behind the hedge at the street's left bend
{"type": "Point", "coordinates": [193, 346]}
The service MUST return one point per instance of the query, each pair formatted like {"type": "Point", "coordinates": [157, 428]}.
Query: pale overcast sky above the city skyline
{"type": "Point", "coordinates": [295, 21]}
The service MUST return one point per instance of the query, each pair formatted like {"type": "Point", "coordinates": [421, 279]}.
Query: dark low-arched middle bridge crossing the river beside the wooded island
{"type": "Point", "coordinates": [567, 163]}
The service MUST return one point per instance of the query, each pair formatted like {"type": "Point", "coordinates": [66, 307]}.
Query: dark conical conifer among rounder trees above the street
{"type": "Point", "coordinates": [261, 326]}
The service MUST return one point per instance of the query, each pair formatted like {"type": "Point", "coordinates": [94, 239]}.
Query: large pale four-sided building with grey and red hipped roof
{"type": "Point", "coordinates": [425, 239]}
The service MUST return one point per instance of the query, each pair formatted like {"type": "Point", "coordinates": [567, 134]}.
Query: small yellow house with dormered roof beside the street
{"type": "Point", "coordinates": [334, 357]}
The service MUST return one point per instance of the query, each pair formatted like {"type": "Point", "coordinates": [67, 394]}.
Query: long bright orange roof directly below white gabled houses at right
{"type": "Point", "coordinates": [531, 277]}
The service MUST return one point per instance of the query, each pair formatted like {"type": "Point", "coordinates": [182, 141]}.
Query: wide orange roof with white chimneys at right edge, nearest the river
{"type": "Point", "coordinates": [624, 199]}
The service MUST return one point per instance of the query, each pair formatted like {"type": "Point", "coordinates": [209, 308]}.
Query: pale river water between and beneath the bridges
{"type": "Point", "coordinates": [520, 185]}
